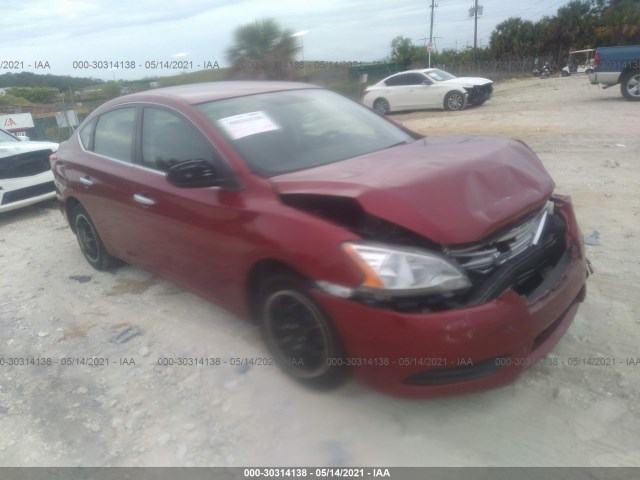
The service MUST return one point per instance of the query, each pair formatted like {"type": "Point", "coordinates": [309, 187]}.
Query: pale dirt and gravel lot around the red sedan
{"type": "Point", "coordinates": [134, 412]}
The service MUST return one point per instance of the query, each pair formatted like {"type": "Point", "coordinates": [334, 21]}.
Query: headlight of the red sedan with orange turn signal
{"type": "Point", "coordinates": [399, 271]}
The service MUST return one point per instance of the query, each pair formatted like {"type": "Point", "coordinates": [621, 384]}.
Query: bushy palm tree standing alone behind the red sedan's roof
{"type": "Point", "coordinates": [263, 50]}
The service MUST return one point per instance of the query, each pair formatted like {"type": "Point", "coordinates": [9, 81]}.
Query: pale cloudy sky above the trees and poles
{"type": "Point", "coordinates": [117, 39]}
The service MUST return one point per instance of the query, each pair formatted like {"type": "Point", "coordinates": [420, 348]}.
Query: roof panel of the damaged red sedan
{"type": "Point", "coordinates": [197, 93]}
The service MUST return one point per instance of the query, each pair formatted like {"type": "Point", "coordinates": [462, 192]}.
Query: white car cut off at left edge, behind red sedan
{"type": "Point", "coordinates": [25, 172]}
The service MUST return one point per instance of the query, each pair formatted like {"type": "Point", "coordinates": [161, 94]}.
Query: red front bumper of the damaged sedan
{"type": "Point", "coordinates": [469, 348]}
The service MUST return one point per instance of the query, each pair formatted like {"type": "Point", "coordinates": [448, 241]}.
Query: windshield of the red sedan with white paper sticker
{"type": "Point", "coordinates": [281, 132]}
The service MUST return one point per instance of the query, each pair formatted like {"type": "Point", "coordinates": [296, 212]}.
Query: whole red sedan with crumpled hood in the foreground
{"type": "Point", "coordinates": [427, 266]}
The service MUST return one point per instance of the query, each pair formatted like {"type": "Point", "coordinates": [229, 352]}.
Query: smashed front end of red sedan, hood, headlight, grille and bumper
{"type": "Point", "coordinates": [485, 203]}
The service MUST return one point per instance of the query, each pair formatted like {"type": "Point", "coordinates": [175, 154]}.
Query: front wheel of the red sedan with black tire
{"type": "Point", "coordinates": [299, 334]}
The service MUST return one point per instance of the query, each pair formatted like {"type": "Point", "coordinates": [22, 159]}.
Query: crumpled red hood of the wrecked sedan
{"type": "Point", "coordinates": [452, 190]}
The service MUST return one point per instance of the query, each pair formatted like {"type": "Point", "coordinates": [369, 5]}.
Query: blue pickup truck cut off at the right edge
{"type": "Point", "coordinates": [613, 65]}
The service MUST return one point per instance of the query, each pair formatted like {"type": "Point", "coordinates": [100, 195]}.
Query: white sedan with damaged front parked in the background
{"type": "Point", "coordinates": [426, 88]}
